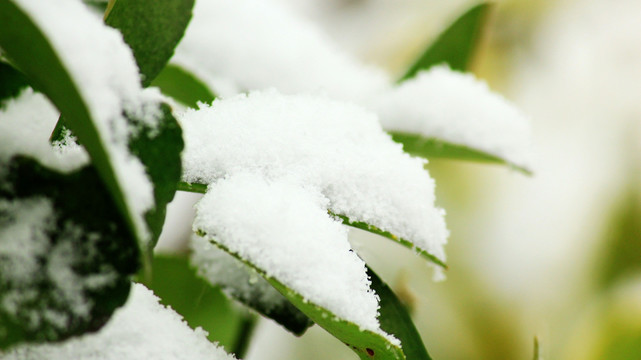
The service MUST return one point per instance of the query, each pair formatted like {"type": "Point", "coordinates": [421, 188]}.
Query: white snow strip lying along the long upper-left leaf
{"type": "Point", "coordinates": [104, 71]}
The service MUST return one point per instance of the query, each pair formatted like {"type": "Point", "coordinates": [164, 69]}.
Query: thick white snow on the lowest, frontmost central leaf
{"type": "Point", "coordinates": [283, 229]}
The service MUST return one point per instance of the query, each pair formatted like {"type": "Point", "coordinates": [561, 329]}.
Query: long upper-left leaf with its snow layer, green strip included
{"type": "Point", "coordinates": [92, 78]}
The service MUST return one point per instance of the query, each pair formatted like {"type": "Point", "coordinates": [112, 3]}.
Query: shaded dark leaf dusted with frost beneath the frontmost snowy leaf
{"type": "Point", "coordinates": [241, 282]}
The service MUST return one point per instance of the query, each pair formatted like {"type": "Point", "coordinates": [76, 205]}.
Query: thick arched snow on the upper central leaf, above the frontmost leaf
{"type": "Point", "coordinates": [336, 148]}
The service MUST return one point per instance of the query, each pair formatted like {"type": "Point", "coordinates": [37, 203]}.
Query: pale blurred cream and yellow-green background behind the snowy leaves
{"type": "Point", "coordinates": [556, 255]}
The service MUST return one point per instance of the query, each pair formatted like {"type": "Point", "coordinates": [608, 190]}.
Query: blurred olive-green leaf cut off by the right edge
{"type": "Point", "coordinates": [622, 255]}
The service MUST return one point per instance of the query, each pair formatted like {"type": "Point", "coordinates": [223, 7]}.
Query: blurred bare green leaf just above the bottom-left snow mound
{"type": "Point", "coordinates": [200, 304]}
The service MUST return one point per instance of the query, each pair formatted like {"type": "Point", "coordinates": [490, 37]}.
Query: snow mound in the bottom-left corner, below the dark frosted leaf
{"type": "Point", "coordinates": [142, 329]}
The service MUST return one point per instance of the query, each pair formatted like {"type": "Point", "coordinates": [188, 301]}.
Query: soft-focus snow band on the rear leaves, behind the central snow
{"type": "Point", "coordinates": [244, 45]}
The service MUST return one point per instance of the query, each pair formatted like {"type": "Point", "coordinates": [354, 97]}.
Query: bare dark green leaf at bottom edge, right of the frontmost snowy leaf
{"type": "Point", "coordinates": [395, 320]}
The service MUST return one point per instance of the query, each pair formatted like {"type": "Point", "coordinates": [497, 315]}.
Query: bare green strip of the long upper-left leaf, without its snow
{"type": "Point", "coordinates": [40, 63]}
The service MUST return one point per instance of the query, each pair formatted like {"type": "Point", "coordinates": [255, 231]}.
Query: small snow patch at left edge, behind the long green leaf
{"type": "Point", "coordinates": [25, 125]}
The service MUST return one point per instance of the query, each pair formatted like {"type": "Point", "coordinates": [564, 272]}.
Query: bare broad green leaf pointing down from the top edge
{"type": "Point", "coordinates": [152, 29]}
